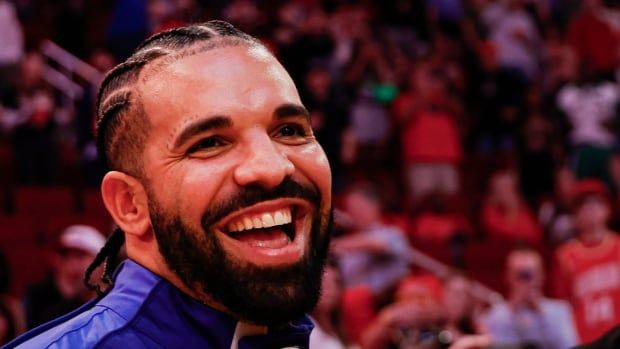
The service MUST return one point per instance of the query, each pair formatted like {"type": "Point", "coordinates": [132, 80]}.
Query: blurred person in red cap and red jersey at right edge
{"type": "Point", "coordinates": [587, 270]}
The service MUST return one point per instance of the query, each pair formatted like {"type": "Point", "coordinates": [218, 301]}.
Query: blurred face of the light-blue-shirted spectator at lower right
{"type": "Point", "coordinates": [524, 273]}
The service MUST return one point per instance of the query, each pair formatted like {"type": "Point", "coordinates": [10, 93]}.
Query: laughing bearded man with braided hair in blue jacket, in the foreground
{"type": "Point", "coordinates": [222, 193]}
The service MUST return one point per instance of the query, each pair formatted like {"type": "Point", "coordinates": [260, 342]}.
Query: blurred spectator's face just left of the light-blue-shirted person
{"type": "Point", "coordinates": [456, 298]}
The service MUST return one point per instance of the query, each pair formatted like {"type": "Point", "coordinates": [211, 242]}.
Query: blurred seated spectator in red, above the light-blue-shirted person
{"type": "Point", "coordinates": [505, 214]}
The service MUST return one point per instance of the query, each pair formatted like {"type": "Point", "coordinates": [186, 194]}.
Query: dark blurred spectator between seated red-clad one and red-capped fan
{"type": "Point", "coordinates": [555, 214]}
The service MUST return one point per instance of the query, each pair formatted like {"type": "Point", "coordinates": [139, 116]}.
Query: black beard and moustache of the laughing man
{"type": "Point", "coordinates": [258, 294]}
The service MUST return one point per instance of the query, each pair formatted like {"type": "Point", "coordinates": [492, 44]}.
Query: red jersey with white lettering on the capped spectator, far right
{"type": "Point", "coordinates": [589, 278]}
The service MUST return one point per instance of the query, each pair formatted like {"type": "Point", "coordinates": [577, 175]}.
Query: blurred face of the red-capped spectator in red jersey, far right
{"type": "Point", "coordinates": [591, 218]}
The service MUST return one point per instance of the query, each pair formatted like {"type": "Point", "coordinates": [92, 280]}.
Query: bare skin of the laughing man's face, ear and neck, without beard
{"type": "Point", "coordinates": [191, 163]}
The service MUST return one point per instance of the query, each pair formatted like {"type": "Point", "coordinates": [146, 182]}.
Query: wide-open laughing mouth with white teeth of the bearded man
{"type": "Point", "coordinates": [272, 232]}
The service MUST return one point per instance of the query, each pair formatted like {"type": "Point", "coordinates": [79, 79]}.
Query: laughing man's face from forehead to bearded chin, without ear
{"type": "Point", "coordinates": [239, 189]}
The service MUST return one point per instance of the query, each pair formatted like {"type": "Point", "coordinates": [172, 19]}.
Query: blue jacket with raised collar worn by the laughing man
{"type": "Point", "coordinates": [144, 311]}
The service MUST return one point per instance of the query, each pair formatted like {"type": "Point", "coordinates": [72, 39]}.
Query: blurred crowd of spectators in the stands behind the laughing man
{"type": "Point", "coordinates": [448, 124]}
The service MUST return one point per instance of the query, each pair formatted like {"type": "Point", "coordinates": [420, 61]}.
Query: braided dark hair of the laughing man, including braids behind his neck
{"type": "Point", "coordinates": [122, 125]}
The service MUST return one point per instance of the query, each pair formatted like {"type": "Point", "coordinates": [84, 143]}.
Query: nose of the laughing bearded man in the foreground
{"type": "Point", "coordinates": [263, 164]}
